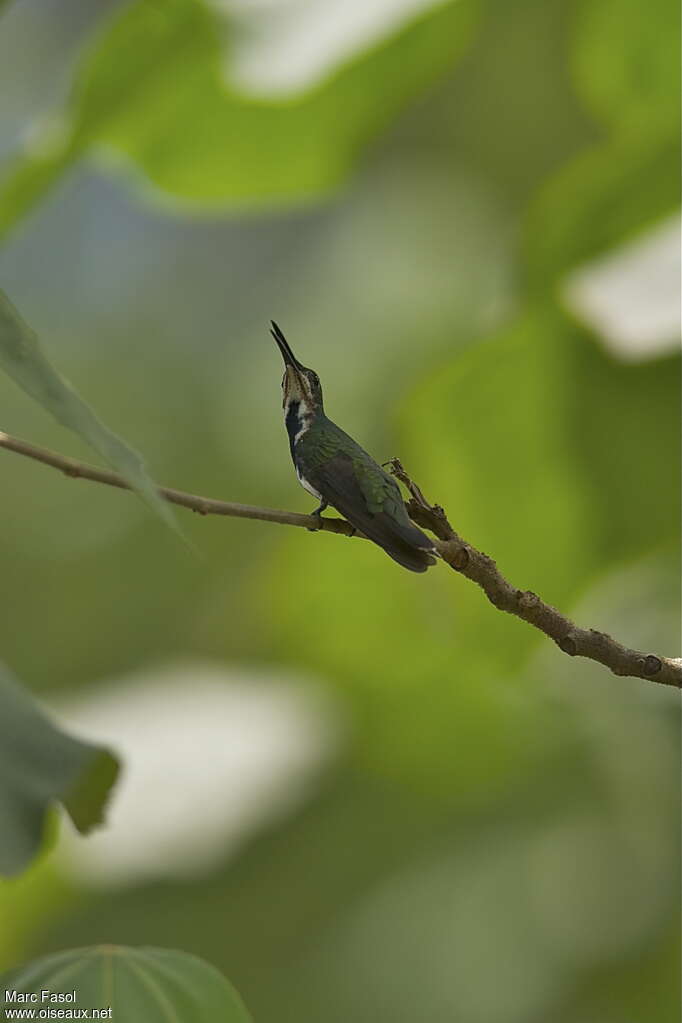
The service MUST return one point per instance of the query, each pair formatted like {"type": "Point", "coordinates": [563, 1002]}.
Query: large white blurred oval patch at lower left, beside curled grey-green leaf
{"type": "Point", "coordinates": [210, 758]}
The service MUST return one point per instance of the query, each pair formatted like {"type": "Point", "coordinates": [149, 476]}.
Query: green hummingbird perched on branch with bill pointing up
{"type": "Point", "coordinates": [334, 468]}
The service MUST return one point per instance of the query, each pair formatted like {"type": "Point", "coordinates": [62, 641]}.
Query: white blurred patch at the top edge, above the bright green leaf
{"type": "Point", "coordinates": [281, 48]}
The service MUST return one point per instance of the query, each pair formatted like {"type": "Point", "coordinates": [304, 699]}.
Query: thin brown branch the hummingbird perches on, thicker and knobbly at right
{"type": "Point", "coordinates": [453, 550]}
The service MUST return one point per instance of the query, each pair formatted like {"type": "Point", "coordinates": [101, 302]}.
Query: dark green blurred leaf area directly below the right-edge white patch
{"type": "Point", "coordinates": [624, 421]}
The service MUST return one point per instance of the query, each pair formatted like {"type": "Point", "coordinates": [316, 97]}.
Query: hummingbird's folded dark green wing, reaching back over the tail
{"type": "Point", "coordinates": [372, 502]}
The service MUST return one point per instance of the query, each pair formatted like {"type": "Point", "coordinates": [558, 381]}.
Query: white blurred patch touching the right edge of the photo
{"type": "Point", "coordinates": [632, 297]}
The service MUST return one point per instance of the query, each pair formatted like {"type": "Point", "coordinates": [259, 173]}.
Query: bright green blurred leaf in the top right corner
{"type": "Point", "coordinates": [627, 62]}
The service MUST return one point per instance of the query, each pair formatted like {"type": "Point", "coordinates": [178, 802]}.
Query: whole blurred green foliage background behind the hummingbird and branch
{"type": "Point", "coordinates": [360, 794]}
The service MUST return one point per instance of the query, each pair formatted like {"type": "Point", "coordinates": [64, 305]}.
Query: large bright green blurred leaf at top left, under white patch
{"type": "Point", "coordinates": [154, 88]}
